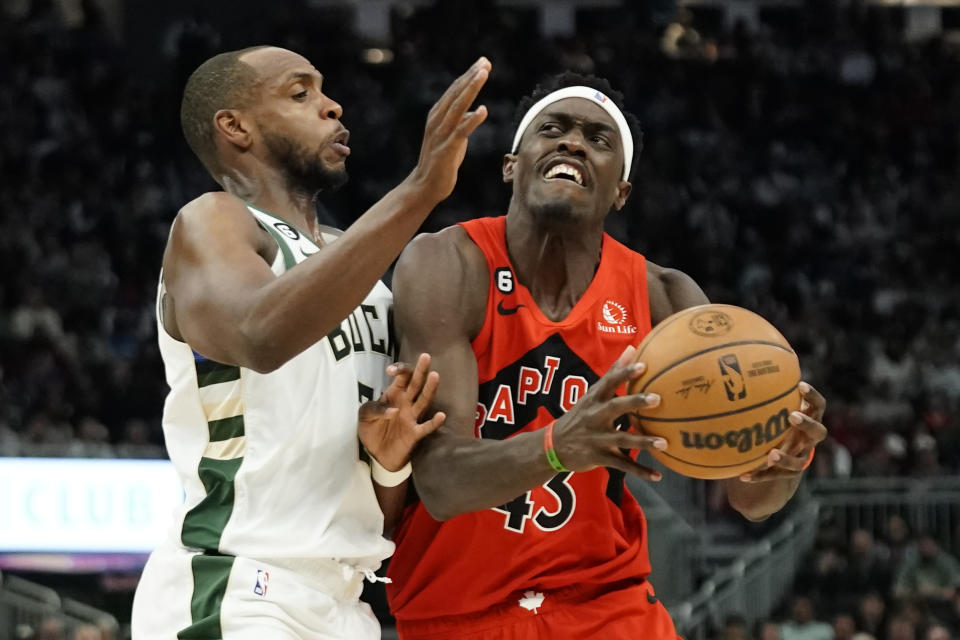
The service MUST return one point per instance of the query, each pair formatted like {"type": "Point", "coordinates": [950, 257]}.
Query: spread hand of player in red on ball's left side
{"type": "Point", "coordinates": [586, 437]}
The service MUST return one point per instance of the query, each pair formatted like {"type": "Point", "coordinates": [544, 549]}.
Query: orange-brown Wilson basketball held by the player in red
{"type": "Point", "coordinates": [727, 380]}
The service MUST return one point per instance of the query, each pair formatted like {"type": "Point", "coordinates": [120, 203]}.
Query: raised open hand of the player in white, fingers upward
{"type": "Point", "coordinates": [449, 124]}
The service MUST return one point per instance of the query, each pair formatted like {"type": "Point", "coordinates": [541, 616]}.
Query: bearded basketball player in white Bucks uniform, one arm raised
{"type": "Point", "coordinates": [273, 332]}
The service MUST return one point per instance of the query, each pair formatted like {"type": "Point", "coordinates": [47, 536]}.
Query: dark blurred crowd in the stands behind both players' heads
{"type": "Point", "coordinates": [806, 169]}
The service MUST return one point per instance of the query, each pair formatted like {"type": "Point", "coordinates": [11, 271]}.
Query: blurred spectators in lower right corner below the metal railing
{"type": "Point", "coordinates": [901, 585]}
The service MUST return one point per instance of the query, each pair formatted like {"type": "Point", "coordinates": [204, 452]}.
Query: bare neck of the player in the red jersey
{"type": "Point", "coordinates": [556, 262]}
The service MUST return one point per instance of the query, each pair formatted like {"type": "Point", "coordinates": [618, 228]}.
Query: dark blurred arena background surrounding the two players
{"type": "Point", "coordinates": [801, 160]}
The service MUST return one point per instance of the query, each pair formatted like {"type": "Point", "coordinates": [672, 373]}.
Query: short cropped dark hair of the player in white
{"type": "Point", "coordinates": [222, 82]}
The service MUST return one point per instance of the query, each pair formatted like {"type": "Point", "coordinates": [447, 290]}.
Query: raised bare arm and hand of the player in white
{"type": "Point", "coordinates": [231, 308]}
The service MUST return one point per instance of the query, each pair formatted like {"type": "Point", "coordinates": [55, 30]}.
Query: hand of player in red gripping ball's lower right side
{"type": "Point", "coordinates": [806, 432]}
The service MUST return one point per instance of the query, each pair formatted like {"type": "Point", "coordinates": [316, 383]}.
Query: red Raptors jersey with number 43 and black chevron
{"type": "Point", "coordinates": [578, 528]}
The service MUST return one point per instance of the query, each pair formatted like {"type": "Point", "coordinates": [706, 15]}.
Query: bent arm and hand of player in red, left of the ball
{"type": "Point", "coordinates": [440, 285]}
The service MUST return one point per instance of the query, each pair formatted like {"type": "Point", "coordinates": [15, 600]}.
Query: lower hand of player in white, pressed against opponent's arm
{"type": "Point", "coordinates": [390, 427]}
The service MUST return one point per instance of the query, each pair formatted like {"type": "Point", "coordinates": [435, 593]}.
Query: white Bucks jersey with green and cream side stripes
{"type": "Point", "coordinates": [270, 462]}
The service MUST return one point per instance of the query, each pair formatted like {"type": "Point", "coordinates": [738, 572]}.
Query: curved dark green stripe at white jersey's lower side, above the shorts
{"type": "Point", "coordinates": [203, 525]}
